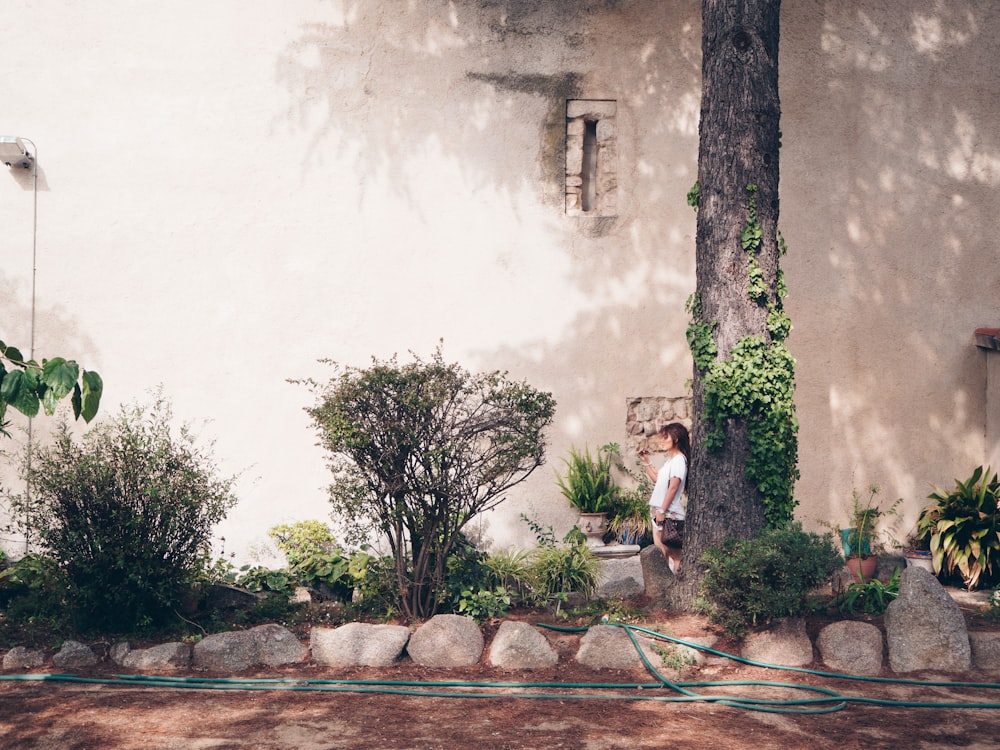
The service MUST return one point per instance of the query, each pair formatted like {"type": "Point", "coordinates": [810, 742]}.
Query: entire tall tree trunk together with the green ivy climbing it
{"type": "Point", "coordinates": [736, 311]}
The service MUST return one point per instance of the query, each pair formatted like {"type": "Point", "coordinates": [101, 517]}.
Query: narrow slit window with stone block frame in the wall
{"type": "Point", "coordinates": [591, 157]}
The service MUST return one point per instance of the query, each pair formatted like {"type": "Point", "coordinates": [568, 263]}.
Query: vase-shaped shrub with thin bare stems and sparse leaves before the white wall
{"type": "Point", "coordinates": [418, 450]}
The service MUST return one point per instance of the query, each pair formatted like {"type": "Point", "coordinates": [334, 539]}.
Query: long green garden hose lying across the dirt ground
{"type": "Point", "coordinates": [828, 701]}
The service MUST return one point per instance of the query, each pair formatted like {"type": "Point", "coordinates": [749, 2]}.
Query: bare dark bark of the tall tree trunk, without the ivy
{"type": "Point", "coordinates": [738, 147]}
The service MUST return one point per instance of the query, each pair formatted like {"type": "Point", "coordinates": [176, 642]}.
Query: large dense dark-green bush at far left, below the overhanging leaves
{"type": "Point", "coordinates": [125, 513]}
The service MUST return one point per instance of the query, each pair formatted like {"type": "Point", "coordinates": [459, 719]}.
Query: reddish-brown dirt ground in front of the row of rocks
{"type": "Point", "coordinates": [582, 711]}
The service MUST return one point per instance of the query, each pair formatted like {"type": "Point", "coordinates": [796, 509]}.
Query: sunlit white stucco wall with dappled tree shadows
{"type": "Point", "coordinates": [230, 191]}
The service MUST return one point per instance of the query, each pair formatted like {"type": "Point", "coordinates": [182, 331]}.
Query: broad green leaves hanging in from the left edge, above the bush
{"type": "Point", "coordinates": [27, 385]}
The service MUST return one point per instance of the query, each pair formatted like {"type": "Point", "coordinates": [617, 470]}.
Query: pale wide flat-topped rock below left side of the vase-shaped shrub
{"type": "Point", "coordinates": [358, 644]}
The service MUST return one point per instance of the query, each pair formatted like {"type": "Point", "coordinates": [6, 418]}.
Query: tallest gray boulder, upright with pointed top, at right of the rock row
{"type": "Point", "coordinates": [924, 628]}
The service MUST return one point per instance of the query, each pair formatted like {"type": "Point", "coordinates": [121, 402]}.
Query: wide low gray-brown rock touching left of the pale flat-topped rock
{"type": "Point", "coordinates": [237, 650]}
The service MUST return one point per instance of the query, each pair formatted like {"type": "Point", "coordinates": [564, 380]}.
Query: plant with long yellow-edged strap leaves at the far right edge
{"type": "Point", "coordinates": [964, 527]}
